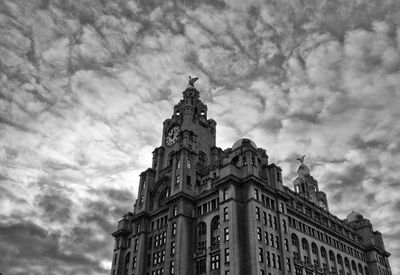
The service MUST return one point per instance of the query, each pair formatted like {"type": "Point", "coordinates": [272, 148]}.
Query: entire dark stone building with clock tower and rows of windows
{"type": "Point", "coordinates": [204, 210]}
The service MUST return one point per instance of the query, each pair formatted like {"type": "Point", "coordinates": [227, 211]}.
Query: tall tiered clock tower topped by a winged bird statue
{"type": "Point", "coordinates": [188, 142]}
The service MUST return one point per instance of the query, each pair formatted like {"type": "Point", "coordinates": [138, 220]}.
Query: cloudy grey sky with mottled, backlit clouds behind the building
{"type": "Point", "coordinates": [85, 86]}
